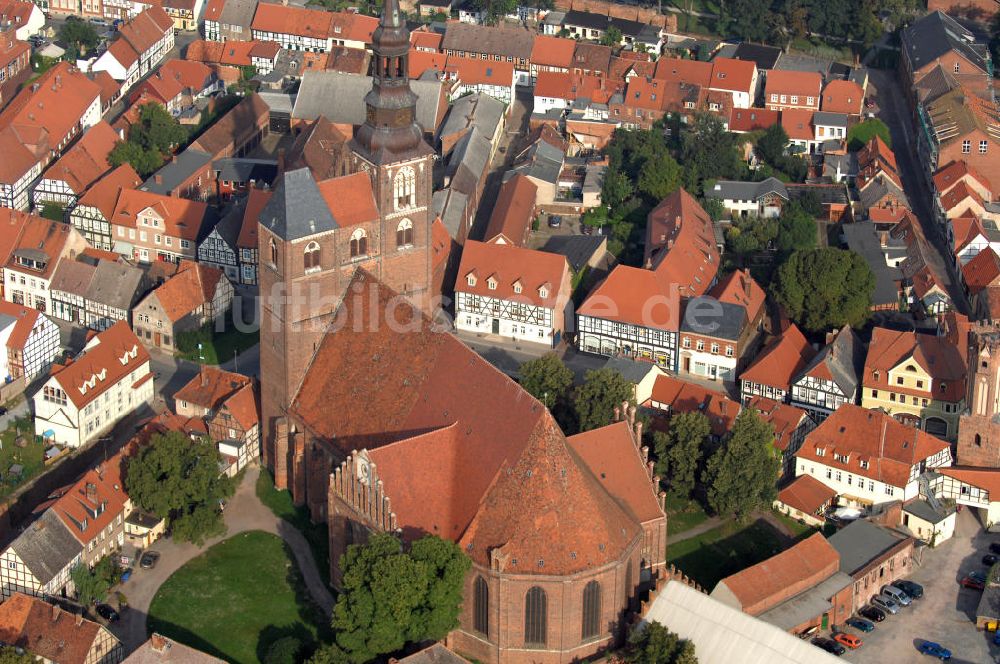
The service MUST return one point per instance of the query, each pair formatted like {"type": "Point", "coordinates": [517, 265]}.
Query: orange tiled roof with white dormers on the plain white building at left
{"type": "Point", "coordinates": [110, 356]}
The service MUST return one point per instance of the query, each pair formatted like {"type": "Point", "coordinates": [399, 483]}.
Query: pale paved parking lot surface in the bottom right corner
{"type": "Point", "coordinates": [945, 614]}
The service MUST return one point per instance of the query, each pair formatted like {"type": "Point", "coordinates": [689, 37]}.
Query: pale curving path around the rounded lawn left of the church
{"type": "Point", "coordinates": [244, 512]}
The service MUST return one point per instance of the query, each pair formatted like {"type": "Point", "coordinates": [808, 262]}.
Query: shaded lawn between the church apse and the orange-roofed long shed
{"type": "Point", "coordinates": [724, 550]}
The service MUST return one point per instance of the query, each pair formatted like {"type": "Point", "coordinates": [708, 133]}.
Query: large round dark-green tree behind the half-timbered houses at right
{"type": "Point", "coordinates": [824, 288]}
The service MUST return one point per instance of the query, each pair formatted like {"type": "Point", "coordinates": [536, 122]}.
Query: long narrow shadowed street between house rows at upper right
{"type": "Point", "coordinates": [893, 110]}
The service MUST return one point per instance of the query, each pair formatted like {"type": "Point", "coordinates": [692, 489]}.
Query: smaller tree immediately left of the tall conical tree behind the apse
{"type": "Point", "coordinates": [680, 451]}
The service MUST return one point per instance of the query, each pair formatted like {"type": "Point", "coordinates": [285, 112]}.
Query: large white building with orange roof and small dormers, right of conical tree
{"type": "Point", "coordinates": [868, 457]}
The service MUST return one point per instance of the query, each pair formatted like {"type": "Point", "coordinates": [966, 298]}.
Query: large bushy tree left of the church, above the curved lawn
{"type": "Point", "coordinates": [177, 478]}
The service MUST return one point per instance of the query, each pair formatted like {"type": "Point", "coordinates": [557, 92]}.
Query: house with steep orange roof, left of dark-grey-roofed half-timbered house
{"type": "Point", "coordinates": [776, 366]}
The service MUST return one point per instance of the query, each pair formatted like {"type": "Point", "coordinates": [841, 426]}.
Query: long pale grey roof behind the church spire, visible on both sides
{"type": "Point", "coordinates": [340, 98]}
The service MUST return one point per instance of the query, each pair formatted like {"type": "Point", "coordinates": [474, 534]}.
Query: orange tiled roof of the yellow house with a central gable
{"type": "Point", "coordinates": [936, 355]}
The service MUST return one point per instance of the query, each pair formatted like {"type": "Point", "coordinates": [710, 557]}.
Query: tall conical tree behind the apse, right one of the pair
{"type": "Point", "coordinates": [742, 474]}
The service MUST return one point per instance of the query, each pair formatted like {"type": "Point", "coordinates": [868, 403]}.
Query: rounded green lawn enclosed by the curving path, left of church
{"type": "Point", "coordinates": [236, 599]}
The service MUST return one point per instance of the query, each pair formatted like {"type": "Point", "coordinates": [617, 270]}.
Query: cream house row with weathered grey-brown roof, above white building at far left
{"type": "Point", "coordinates": [95, 292]}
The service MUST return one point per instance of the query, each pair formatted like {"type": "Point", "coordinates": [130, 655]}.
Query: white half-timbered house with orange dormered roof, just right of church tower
{"type": "Point", "coordinates": [511, 292]}
